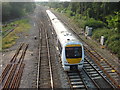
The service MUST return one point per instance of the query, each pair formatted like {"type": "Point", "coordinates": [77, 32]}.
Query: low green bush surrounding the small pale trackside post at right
{"type": "Point", "coordinates": [112, 39]}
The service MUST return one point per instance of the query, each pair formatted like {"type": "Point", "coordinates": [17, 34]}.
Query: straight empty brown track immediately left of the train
{"type": "Point", "coordinates": [44, 77]}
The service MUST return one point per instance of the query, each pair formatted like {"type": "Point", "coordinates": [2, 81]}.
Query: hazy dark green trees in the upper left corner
{"type": "Point", "coordinates": [13, 10]}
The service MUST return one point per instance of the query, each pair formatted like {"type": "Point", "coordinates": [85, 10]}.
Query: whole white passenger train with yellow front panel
{"type": "Point", "coordinates": [71, 49]}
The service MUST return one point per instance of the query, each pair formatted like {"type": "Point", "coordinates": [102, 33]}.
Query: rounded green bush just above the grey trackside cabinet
{"type": "Point", "coordinates": [94, 23]}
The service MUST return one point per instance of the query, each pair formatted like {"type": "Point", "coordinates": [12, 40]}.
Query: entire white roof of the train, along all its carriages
{"type": "Point", "coordinates": [63, 33]}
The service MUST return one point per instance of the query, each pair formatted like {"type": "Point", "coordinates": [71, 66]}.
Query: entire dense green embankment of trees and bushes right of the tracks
{"type": "Point", "coordinates": [102, 16]}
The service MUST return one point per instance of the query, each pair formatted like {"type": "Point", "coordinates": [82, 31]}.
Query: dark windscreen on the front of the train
{"type": "Point", "coordinates": [73, 52]}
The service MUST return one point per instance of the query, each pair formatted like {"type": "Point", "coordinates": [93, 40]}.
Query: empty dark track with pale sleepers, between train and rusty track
{"type": "Point", "coordinates": [96, 75]}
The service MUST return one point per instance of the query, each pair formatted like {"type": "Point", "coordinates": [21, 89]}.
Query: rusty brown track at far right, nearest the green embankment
{"type": "Point", "coordinates": [109, 70]}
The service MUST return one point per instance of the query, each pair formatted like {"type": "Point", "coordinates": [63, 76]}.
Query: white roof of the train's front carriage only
{"type": "Point", "coordinates": [63, 33]}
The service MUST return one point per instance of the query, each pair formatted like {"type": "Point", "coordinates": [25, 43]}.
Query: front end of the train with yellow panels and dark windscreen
{"type": "Point", "coordinates": [73, 57]}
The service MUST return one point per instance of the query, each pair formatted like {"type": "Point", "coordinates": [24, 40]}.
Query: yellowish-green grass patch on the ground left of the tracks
{"type": "Point", "coordinates": [10, 39]}
